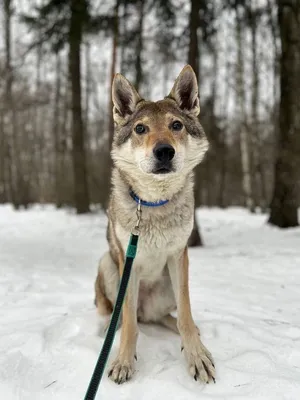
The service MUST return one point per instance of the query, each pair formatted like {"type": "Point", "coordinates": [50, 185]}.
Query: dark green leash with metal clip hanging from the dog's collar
{"type": "Point", "coordinates": [111, 332]}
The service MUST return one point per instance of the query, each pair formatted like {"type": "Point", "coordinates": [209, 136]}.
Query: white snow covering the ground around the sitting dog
{"type": "Point", "coordinates": [245, 294]}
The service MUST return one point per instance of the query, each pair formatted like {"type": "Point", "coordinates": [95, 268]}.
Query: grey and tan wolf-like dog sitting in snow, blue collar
{"type": "Point", "coordinates": [156, 147]}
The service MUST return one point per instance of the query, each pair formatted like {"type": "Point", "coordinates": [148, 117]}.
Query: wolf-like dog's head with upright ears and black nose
{"type": "Point", "coordinates": [160, 138]}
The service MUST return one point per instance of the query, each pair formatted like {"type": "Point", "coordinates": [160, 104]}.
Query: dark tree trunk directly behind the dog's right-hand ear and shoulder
{"type": "Point", "coordinates": [193, 60]}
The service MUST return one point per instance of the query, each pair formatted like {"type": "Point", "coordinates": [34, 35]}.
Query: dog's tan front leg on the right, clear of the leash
{"type": "Point", "coordinates": [200, 361]}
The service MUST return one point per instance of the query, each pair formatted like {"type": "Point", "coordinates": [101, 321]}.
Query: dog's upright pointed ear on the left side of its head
{"type": "Point", "coordinates": [124, 97]}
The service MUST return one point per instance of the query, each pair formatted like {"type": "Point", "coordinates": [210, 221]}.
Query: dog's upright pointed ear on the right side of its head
{"type": "Point", "coordinates": [185, 91]}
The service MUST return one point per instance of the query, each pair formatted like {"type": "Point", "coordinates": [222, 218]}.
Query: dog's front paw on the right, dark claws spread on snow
{"type": "Point", "coordinates": [200, 362]}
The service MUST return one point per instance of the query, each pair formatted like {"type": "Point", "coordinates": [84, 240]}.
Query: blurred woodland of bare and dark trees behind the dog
{"type": "Point", "coordinates": [57, 60]}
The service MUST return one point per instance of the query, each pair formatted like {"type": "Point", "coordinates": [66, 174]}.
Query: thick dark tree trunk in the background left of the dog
{"type": "Point", "coordinates": [78, 12]}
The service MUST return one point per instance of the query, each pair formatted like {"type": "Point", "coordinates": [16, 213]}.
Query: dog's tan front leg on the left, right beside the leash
{"type": "Point", "coordinates": [122, 368]}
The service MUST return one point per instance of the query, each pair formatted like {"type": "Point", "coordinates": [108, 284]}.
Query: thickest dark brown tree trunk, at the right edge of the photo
{"type": "Point", "coordinates": [285, 201]}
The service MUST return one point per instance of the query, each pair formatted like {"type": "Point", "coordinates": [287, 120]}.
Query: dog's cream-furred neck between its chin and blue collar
{"type": "Point", "coordinates": [149, 188]}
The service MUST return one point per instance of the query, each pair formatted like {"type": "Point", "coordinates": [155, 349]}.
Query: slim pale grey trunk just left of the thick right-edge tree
{"type": "Point", "coordinates": [241, 115]}
